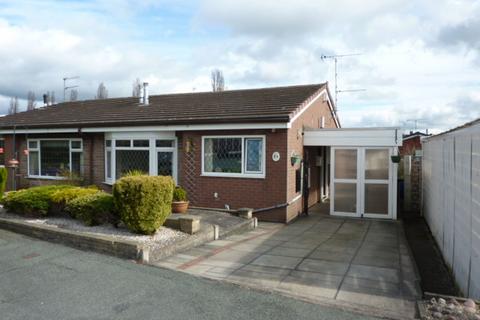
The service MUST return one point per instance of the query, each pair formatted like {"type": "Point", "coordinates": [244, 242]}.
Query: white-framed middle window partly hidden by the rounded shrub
{"type": "Point", "coordinates": [153, 154]}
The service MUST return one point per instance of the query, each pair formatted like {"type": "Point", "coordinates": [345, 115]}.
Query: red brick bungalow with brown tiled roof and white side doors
{"type": "Point", "coordinates": [239, 148]}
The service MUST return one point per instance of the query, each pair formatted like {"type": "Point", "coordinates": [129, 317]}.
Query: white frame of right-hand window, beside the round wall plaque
{"type": "Point", "coordinates": [244, 173]}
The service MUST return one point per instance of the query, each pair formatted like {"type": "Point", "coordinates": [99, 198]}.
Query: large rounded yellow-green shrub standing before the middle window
{"type": "Point", "coordinates": [143, 202]}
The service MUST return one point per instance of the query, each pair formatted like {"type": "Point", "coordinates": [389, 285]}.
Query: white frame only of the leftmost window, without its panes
{"type": "Point", "coordinates": [38, 148]}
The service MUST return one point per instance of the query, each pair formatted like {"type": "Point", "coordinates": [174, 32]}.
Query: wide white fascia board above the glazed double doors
{"type": "Point", "coordinates": [361, 137]}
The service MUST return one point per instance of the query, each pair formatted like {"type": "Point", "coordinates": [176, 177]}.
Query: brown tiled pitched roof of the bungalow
{"type": "Point", "coordinates": [278, 104]}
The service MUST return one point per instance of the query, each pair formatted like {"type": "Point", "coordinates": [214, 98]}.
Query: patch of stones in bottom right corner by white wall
{"type": "Point", "coordinates": [452, 309]}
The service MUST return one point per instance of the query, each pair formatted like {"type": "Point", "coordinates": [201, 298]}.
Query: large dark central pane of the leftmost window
{"type": "Point", "coordinates": [55, 157]}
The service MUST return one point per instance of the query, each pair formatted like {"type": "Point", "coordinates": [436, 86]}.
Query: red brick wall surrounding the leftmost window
{"type": "Point", "coordinates": [93, 159]}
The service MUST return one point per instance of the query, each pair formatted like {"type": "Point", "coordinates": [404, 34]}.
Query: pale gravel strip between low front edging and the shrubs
{"type": "Point", "coordinates": [163, 237]}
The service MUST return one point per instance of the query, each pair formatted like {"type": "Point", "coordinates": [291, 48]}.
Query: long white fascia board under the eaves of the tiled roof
{"type": "Point", "coordinates": [231, 126]}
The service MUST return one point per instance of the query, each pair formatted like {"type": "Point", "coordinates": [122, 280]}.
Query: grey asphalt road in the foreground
{"type": "Point", "coordinates": [41, 280]}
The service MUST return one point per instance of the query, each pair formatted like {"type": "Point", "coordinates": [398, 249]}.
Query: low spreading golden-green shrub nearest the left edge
{"type": "Point", "coordinates": [32, 201]}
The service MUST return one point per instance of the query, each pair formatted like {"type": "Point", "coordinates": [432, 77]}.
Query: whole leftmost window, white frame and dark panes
{"type": "Point", "coordinates": [52, 158]}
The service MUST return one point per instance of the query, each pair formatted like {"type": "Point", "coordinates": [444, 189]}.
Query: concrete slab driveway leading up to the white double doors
{"type": "Point", "coordinates": [357, 264]}
